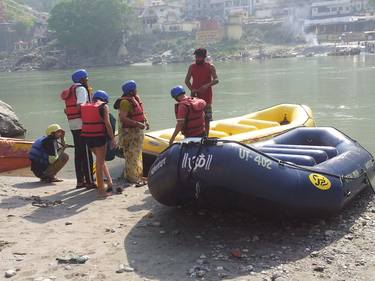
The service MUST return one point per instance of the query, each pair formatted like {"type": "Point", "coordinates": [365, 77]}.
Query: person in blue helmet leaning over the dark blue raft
{"type": "Point", "coordinates": [189, 114]}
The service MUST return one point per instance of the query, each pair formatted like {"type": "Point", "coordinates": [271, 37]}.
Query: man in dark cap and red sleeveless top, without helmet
{"type": "Point", "coordinates": [204, 77]}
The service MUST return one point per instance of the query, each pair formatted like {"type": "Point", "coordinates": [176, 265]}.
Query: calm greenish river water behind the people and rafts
{"type": "Point", "coordinates": [339, 90]}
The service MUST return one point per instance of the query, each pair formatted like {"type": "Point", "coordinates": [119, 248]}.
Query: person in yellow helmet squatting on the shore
{"type": "Point", "coordinates": [47, 154]}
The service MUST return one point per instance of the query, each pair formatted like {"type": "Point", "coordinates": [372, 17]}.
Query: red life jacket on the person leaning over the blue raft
{"type": "Point", "coordinates": [194, 121]}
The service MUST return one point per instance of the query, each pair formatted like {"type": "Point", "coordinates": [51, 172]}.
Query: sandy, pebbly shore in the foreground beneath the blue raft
{"type": "Point", "coordinates": [55, 232]}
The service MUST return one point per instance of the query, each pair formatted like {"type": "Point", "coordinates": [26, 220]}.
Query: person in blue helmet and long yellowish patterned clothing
{"type": "Point", "coordinates": [132, 121]}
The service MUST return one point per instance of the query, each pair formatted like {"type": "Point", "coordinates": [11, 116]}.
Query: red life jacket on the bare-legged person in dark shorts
{"type": "Point", "coordinates": [92, 122]}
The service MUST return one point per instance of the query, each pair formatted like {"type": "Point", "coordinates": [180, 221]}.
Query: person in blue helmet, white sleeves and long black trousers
{"type": "Point", "coordinates": [77, 94]}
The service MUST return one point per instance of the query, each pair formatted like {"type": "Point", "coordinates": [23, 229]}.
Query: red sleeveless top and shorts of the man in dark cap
{"type": "Point", "coordinates": [202, 75]}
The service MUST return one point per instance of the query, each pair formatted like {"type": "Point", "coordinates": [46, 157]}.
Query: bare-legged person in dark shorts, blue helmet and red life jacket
{"type": "Point", "coordinates": [96, 128]}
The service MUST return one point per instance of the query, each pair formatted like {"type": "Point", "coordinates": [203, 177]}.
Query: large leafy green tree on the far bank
{"type": "Point", "coordinates": [90, 27]}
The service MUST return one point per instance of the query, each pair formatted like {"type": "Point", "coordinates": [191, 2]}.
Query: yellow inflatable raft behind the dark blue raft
{"type": "Point", "coordinates": [247, 129]}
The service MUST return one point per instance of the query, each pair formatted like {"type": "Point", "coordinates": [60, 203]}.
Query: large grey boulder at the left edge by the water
{"type": "Point", "coordinates": [10, 125]}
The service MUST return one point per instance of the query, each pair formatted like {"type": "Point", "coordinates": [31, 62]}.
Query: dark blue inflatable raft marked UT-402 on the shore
{"type": "Point", "coordinates": [305, 170]}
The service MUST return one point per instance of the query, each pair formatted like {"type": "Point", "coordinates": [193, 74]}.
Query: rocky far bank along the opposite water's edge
{"type": "Point", "coordinates": [45, 58]}
